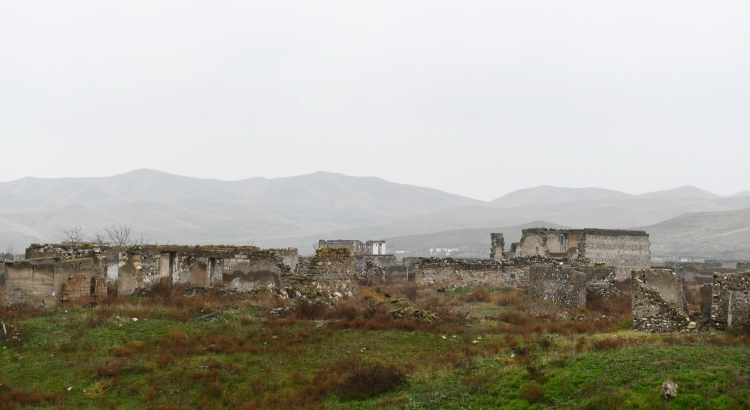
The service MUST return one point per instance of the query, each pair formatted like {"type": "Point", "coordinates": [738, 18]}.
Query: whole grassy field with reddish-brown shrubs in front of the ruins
{"type": "Point", "coordinates": [487, 349]}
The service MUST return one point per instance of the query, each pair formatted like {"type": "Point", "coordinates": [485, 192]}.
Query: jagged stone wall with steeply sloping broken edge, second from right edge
{"type": "Point", "coordinates": [659, 303]}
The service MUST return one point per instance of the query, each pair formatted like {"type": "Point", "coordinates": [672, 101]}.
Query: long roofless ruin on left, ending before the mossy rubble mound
{"type": "Point", "coordinates": [56, 273]}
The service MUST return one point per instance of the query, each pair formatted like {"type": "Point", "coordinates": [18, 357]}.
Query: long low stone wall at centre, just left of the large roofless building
{"type": "Point", "coordinates": [467, 272]}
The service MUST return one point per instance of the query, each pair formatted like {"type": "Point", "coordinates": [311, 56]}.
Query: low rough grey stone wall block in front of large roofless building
{"type": "Point", "coordinates": [570, 285]}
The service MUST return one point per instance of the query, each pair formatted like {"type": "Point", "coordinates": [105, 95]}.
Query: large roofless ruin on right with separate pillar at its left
{"type": "Point", "coordinates": [620, 249]}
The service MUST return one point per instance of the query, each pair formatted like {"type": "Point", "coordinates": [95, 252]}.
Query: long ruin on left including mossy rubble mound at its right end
{"type": "Point", "coordinates": [81, 273]}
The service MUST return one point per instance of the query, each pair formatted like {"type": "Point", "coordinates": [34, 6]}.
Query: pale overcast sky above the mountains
{"type": "Point", "coordinates": [475, 98]}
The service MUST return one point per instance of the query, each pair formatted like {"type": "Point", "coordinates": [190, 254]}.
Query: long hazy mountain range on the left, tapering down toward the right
{"type": "Point", "coordinates": [165, 207]}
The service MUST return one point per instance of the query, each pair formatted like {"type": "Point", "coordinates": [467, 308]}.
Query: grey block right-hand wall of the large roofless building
{"type": "Point", "coordinates": [622, 250]}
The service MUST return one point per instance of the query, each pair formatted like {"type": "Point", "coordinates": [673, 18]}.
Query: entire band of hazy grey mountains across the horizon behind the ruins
{"type": "Point", "coordinates": [296, 211]}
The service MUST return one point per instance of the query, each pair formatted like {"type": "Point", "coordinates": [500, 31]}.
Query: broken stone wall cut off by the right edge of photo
{"type": "Point", "coordinates": [730, 301]}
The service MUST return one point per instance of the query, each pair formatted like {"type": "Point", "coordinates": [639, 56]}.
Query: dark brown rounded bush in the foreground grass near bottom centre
{"type": "Point", "coordinates": [365, 380]}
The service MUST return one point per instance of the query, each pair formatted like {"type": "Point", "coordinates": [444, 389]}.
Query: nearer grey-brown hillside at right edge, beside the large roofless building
{"type": "Point", "coordinates": [722, 235]}
